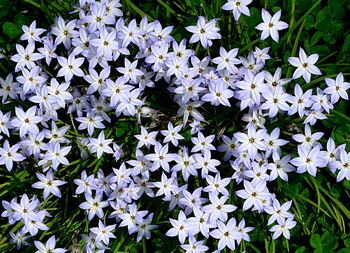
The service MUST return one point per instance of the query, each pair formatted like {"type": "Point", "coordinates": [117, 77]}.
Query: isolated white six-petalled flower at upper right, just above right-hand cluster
{"type": "Point", "coordinates": [305, 65]}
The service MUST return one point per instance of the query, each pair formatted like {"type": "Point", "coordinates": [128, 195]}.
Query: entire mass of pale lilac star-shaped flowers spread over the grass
{"type": "Point", "coordinates": [96, 69]}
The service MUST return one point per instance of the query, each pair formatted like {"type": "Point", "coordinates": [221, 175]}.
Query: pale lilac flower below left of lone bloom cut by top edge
{"type": "Point", "coordinates": [204, 32]}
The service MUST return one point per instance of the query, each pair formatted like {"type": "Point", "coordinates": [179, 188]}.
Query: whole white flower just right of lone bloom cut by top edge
{"type": "Point", "coordinates": [271, 25]}
